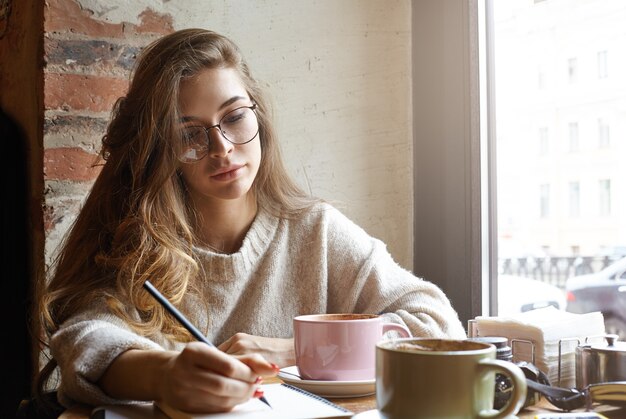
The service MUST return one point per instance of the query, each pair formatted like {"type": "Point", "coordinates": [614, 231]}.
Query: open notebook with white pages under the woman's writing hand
{"type": "Point", "coordinates": [287, 402]}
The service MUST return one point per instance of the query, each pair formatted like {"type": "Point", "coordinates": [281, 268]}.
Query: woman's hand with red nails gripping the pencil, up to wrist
{"type": "Point", "coordinates": [204, 379]}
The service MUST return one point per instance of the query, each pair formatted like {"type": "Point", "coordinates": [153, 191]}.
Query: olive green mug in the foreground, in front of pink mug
{"type": "Point", "coordinates": [442, 378]}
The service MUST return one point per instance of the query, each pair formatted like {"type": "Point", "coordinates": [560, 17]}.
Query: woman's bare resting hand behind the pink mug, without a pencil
{"type": "Point", "coordinates": [275, 350]}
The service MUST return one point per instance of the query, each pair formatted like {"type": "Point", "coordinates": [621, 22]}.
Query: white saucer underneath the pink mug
{"type": "Point", "coordinates": [330, 389]}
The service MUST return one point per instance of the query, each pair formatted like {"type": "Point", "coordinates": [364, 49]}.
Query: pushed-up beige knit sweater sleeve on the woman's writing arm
{"type": "Point", "coordinates": [84, 347]}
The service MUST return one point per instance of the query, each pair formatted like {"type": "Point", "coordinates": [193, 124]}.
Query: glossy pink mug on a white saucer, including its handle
{"type": "Point", "coordinates": [339, 347]}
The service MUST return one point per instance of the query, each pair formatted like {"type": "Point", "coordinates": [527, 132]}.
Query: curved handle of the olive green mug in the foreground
{"type": "Point", "coordinates": [518, 396]}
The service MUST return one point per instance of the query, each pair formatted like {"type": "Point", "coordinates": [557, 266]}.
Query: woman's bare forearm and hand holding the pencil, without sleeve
{"type": "Point", "coordinates": [197, 379]}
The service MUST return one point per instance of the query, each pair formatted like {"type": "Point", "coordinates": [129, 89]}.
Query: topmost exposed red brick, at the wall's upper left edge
{"type": "Point", "coordinates": [68, 16]}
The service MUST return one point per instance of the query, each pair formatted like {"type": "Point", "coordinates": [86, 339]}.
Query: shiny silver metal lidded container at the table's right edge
{"type": "Point", "coordinates": [601, 363]}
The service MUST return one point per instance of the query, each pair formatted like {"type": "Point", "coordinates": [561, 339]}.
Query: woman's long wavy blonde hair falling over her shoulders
{"type": "Point", "coordinates": [136, 222]}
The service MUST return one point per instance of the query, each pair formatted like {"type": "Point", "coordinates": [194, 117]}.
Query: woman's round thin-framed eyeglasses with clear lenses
{"type": "Point", "coordinates": [239, 126]}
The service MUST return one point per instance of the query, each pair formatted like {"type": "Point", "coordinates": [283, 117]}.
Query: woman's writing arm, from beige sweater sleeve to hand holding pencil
{"type": "Point", "coordinates": [103, 362]}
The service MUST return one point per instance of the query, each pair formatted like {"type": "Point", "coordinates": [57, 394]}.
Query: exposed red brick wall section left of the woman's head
{"type": "Point", "coordinates": [88, 61]}
